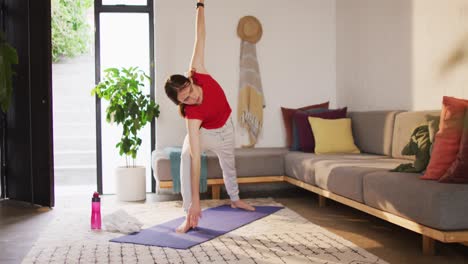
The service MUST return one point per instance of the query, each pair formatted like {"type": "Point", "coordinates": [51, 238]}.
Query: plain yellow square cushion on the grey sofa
{"type": "Point", "coordinates": [333, 135]}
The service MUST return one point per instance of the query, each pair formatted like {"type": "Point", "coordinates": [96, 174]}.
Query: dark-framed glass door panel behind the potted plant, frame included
{"type": "Point", "coordinates": [124, 38]}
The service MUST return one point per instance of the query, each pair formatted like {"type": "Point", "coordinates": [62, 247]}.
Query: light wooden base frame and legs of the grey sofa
{"type": "Point", "coordinates": [429, 235]}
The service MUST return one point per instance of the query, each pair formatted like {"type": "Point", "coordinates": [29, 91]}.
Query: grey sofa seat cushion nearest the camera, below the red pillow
{"type": "Point", "coordinates": [437, 205]}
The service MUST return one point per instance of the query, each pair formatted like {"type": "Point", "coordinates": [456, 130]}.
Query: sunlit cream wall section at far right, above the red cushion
{"type": "Point", "coordinates": [438, 27]}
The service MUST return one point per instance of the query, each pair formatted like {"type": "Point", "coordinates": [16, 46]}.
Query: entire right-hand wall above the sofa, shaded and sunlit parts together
{"type": "Point", "coordinates": [389, 53]}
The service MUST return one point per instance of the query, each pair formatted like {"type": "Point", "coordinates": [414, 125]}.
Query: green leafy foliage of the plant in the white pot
{"type": "Point", "coordinates": [128, 106]}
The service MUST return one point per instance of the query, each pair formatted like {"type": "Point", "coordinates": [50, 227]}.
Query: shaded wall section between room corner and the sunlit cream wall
{"type": "Point", "coordinates": [373, 40]}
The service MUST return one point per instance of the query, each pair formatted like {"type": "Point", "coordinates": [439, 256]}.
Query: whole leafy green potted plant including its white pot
{"type": "Point", "coordinates": [132, 110]}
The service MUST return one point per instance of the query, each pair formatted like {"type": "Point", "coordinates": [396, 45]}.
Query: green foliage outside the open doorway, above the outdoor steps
{"type": "Point", "coordinates": [70, 31]}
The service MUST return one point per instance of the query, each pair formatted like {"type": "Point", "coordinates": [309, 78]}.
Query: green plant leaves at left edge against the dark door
{"type": "Point", "coordinates": [8, 57]}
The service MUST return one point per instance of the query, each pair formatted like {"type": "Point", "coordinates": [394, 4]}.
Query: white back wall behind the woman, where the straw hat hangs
{"type": "Point", "coordinates": [296, 56]}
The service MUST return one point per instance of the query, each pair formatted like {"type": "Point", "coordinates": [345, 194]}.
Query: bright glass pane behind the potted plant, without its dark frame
{"type": "Point", "coordinates": [124, 43]}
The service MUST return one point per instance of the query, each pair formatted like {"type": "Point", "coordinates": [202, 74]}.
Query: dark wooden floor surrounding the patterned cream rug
{"type": "Point", "coordinates": [20, 225]}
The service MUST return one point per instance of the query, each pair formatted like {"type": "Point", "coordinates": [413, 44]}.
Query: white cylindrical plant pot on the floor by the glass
{"type": "Point", "coordinates": [131, 183]}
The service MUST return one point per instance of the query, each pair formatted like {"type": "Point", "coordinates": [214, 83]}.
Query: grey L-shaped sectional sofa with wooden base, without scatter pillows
{"type": "Point", "coordinates": [438, 211]}
